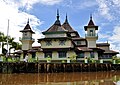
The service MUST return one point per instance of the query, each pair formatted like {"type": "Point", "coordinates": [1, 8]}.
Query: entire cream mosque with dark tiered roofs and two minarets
{"type": "Point", "coordinates": [63, 43]}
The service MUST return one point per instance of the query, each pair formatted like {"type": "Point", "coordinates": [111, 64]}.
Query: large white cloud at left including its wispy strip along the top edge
{"type": "Point", "coordinates": [14, 10]}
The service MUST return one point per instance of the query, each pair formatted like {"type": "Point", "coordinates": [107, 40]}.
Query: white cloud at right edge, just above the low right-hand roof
{"type": "Point", "coordinates": [112, 37]}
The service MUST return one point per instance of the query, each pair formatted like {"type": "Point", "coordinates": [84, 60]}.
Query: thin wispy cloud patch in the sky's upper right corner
{"type": "Point", "coordinates": [109, 9]}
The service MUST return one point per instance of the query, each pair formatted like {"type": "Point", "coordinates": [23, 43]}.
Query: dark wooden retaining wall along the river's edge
{"type": "Point", "coordinates": [37, 67]}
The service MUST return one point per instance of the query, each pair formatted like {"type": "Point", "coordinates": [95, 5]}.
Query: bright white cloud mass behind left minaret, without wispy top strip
{"type": "Point", "coordinates": [17, 20]}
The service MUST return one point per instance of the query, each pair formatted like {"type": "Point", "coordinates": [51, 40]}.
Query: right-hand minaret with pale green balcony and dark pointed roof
{"type": "Point", "coordinates": [91, 35]}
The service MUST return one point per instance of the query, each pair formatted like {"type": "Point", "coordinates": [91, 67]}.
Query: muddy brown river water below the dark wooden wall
{"type": "Point", "coordinates": [85, 78]}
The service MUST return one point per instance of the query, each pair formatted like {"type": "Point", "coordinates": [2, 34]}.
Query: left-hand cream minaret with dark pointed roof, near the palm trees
{"type": "Point", "coordinates": [27, 39]}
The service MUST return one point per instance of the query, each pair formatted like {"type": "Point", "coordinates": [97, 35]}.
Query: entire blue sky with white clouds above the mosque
{"type": "Point", "coordinates": [42, 14]}
